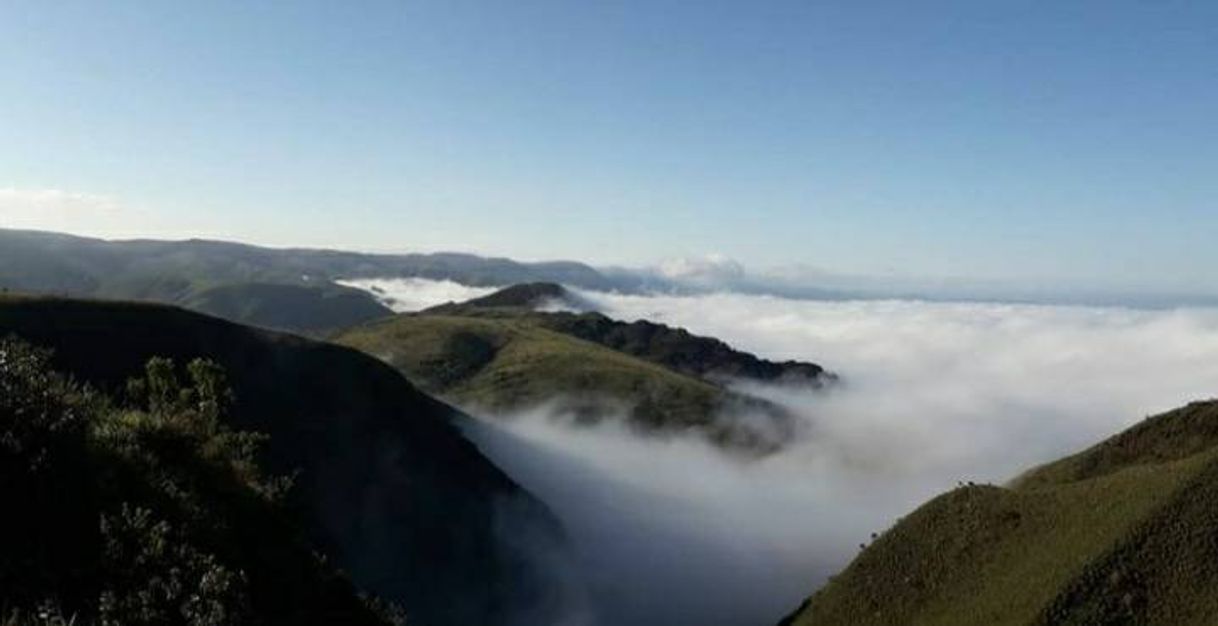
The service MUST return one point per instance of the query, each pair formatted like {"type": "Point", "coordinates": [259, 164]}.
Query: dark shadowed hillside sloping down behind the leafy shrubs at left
{"type": "Point", "coordinates": [390, 490]}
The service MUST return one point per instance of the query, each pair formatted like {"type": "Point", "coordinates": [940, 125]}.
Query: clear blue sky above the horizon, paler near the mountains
{"type": "Point", "coordinates": [981, 139]}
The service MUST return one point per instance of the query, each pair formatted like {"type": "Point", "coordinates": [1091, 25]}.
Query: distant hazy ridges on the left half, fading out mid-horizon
{"type": "Point", "coordinates": [187, 273]}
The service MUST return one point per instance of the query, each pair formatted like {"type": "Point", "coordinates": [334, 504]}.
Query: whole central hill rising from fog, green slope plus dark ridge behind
{"type": "Point", "coordinates": [496, 355]}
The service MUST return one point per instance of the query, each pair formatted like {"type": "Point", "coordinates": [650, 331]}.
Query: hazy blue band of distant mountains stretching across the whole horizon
{"type": "Point", "coordinates": [187, 272]}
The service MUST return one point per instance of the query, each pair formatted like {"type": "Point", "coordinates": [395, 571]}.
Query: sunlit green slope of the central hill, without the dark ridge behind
{"type": "Point", "coordinates": [504, 364]}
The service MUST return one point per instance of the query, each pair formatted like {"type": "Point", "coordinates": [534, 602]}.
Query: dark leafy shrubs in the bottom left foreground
{"type": "Point", "coordinates": [148, 512]}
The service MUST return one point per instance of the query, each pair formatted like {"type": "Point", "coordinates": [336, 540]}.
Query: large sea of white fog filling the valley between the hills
{"type": "Point", "coordinates": [674, 532]}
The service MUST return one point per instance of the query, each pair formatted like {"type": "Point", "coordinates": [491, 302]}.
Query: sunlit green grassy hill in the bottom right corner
{"type": "Point", "coordinates": [1125, 533]}
